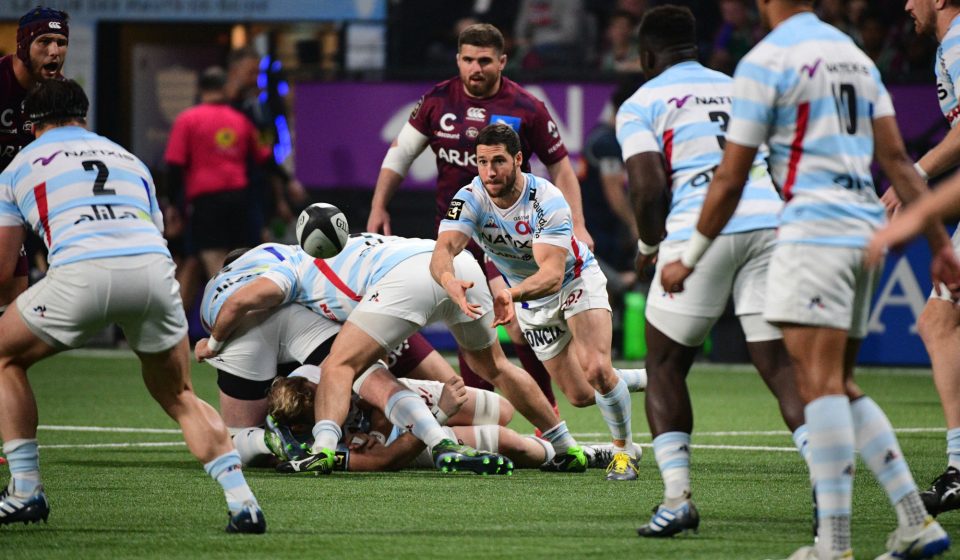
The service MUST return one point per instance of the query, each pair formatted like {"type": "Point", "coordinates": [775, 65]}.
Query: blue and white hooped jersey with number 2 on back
{"type": "Point", "coordinates": [84, 195]}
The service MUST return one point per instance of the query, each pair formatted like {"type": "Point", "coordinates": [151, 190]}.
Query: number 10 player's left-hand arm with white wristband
{"type": "Point", "coordinates": [723, 196]}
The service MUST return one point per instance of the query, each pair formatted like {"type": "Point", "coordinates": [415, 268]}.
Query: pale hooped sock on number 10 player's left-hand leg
{"type": "Point", "coordinates": [831, 441]}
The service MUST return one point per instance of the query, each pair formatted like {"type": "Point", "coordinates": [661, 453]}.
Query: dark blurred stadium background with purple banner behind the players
{"type": "Point", "coordinates": [342, 75]}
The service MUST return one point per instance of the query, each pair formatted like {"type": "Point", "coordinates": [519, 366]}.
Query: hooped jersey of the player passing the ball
{"type": "Point", "coordinates": [540, 215]}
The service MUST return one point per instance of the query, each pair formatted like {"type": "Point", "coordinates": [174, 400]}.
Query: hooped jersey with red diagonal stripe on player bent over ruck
{"type": "Point", "coordinates": [333, 287]}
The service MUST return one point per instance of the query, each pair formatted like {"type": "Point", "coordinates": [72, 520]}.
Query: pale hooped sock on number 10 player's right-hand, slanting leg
{"type": "Point", "coordinates": [879, 449]}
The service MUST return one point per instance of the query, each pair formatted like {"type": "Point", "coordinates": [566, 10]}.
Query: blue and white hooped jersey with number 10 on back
{"type": "Point", "coordinates": [812, 95]}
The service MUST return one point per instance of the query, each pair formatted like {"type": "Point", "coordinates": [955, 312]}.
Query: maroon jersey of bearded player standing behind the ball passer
{"type": "Point", "coordinates": [451, 120]}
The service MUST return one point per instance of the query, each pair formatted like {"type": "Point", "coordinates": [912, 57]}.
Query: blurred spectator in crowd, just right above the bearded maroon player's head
{"type": "Point", "coordinates": [553, 33]}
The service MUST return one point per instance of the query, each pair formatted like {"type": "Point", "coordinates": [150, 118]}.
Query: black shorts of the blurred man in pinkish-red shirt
{"type": "Point", "coordinates": [219, 221]}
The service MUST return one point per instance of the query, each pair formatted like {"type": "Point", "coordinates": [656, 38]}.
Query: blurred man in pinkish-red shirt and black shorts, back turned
{"type": "Point", "coordinates": [207, 154]}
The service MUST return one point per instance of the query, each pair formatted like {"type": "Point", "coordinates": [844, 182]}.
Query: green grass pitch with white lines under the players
{"type": "Point", "coordinates": [138, 493]}
